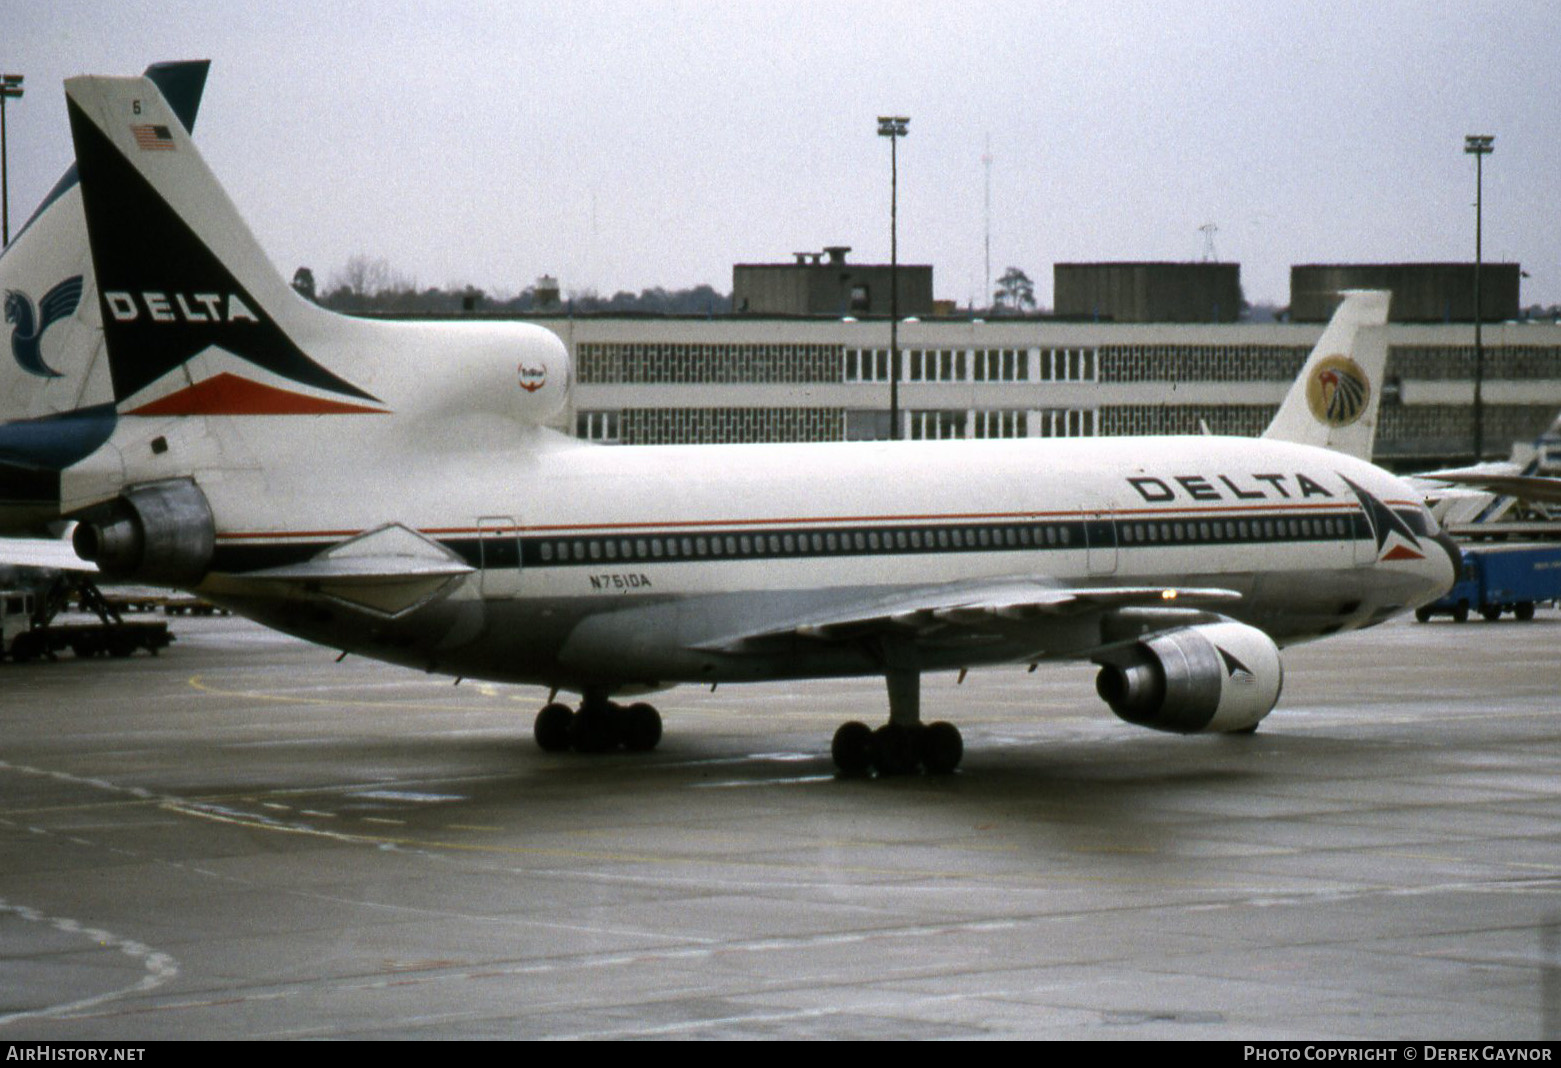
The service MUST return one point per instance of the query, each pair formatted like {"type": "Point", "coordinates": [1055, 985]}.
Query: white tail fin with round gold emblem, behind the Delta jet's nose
{"type": "Point", "coordinates": [1335, 399]}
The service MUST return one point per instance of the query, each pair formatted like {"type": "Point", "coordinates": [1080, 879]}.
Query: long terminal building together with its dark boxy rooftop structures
{"type": "Point", "coordinates": [1136, 349]}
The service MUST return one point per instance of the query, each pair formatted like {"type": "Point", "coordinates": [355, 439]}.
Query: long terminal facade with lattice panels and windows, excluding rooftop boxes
{"type": "Point", "coordinates": [650, 382]}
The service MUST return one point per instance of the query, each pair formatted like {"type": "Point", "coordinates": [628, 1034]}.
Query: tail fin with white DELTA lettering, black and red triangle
{"type": "Point", "coordinates": [196, 318]}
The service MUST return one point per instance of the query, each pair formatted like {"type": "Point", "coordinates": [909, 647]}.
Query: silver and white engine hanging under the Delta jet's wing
{"type": "Point", "coordinates": [1209, 678]}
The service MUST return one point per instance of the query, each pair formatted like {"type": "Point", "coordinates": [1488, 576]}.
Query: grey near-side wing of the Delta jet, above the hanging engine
{"type": "Point", "coordinates": [1000, 608]}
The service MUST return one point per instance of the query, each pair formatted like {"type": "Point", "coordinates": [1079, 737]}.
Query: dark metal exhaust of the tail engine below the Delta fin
{"type": "Point", "coordinates": [158, 533]}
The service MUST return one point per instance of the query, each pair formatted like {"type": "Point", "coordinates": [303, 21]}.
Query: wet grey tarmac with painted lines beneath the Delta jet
{"type": "Point", "coordinates": [243, 839]}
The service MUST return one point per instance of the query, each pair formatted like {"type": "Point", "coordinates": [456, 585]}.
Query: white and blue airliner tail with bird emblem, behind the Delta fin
{"type": "Point", "coordinates": [55, 397]}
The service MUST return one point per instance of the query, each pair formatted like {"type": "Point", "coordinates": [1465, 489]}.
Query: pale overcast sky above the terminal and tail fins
{"type": "Point", "coordinates": [633, 144]}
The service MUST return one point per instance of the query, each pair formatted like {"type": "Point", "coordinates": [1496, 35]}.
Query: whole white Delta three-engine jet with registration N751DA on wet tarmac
{"type": "Point", "coordinates": [391, 489]}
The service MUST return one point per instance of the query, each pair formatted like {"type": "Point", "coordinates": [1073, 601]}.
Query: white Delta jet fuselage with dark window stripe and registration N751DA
{"type": "Point", "coordinates": [622, 566]}
